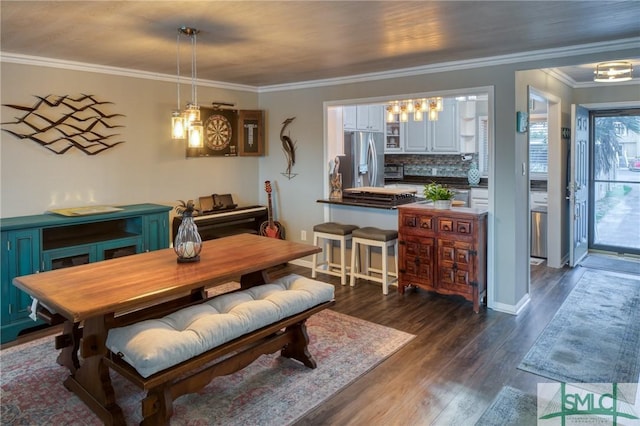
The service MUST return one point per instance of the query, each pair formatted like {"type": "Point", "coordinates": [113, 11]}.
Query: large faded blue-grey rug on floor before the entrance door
{"type": "Point", "coordinates": [595, 335]}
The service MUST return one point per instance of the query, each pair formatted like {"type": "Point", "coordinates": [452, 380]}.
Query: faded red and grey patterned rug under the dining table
{"type": "Point", "coordinates": [271, 391]}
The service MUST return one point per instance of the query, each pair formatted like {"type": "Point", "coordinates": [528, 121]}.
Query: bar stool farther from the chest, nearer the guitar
{"type": "Point", "coordinates": [329, 232]}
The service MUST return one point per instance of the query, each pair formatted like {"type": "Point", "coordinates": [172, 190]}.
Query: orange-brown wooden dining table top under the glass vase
{"type": "Point", "coordinates": [131, 282]}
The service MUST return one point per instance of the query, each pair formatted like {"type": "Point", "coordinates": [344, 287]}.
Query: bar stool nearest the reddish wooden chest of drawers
{"type": "Point", "coordinates": [374, 237]}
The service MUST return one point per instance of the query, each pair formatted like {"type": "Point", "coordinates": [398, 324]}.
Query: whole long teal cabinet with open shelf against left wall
{"type": "Point", "coordinates": [31, 244]}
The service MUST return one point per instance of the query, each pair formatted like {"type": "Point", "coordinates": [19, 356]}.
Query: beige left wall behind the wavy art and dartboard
{"type": "Point", "coordinates": [148, 167]}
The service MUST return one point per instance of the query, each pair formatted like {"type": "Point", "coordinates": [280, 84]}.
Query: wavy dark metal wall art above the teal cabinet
{"type": "Point", "coordinates": [60, 123]}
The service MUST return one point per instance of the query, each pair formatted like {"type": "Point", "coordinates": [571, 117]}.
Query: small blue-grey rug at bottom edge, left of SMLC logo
{"type": "Point", "coordinates": [510, 407]}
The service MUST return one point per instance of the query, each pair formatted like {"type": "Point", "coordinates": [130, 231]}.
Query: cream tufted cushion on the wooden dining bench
{"type": "Point", "coordinates": [154, 345]}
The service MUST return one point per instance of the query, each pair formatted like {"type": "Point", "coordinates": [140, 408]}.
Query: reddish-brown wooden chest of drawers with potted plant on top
{"type": "Point", "coordinates": [444, 251]}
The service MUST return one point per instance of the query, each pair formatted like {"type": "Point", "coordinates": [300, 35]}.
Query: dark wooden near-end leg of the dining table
{"type": "Point", "coordinates": [91, 382]}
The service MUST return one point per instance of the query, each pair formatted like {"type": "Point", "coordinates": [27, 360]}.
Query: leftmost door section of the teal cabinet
{"type": "Point", "coordinates": [20, 256]}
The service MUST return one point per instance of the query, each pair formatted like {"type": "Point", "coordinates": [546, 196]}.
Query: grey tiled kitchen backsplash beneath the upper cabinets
{"type": "Point", "coordinates": [425, 165]}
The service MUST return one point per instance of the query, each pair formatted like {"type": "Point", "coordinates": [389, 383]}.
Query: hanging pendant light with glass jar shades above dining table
{"type": "Point", "coordinates": [186, 124]}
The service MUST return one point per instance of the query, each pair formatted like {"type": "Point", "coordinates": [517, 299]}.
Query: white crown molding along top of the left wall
{"type": "Point", "coordinates": [123, 72]}
